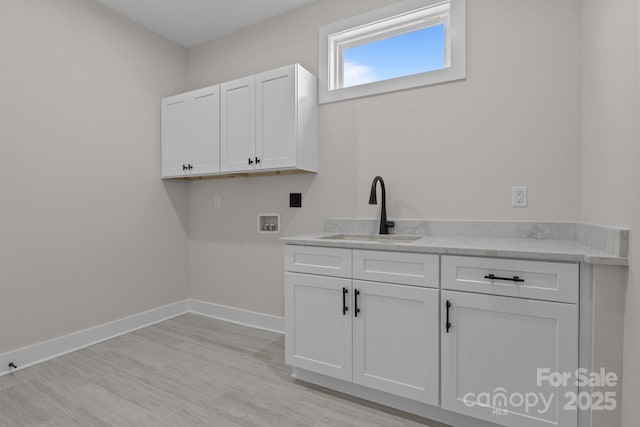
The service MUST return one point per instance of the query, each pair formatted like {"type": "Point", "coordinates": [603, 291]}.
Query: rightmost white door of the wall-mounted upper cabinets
{"type": "Point", "coordinates": [276, 125]}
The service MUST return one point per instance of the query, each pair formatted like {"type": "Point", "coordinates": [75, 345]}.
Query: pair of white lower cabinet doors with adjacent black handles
{"type": "Point", "coordinates": [379, 335]}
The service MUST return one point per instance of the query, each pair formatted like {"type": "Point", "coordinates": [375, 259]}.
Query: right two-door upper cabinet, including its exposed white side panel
{"type": "Point", "coordinates": [269, 122]}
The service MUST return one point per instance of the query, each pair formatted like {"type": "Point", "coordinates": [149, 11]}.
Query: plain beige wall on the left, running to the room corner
{"type": "Point", "coordinates": [88, 232]}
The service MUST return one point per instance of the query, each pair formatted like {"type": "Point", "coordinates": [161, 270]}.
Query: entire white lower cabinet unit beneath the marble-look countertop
{"type": "Point", "coordinates": [487, 338]}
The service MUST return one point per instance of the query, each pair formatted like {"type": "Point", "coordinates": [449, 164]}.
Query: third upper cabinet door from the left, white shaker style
{"type": "Point", "coordinates": [237, 112]}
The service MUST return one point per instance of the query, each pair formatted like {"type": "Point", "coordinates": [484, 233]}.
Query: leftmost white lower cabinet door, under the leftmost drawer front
{"type": "Point", "coordinates": [318, 324]}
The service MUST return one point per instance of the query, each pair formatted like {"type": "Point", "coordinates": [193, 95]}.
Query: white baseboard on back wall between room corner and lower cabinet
{"type": "Point", "coordinates": [240, 316]}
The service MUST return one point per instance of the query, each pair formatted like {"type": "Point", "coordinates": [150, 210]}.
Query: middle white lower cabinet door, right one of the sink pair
{"type": "Point", "coordinates": [395, 343]}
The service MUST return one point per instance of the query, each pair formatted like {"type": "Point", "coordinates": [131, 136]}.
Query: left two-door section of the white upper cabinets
{"type": "Point", "coordinates": [190, 133]}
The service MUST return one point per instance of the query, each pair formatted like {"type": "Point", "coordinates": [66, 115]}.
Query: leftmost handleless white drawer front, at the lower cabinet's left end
{"type": "Point", "coordinates": [318, 260]}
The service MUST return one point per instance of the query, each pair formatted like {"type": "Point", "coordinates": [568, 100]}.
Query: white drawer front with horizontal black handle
{"type": "Point", "coordinates": [551, 281]}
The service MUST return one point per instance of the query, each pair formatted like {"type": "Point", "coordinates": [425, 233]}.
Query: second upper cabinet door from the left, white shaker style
{"type": "Point", "coordinates": [204, 141]}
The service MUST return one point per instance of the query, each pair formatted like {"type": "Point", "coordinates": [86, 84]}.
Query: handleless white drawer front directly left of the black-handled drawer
{"type": "Point", "coordinates": [396, 267]}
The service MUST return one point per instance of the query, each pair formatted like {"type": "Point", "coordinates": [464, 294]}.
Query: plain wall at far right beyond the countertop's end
{"type": "Point", "coordinates": [611, 152]}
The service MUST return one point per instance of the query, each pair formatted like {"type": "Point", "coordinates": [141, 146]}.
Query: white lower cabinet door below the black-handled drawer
{"type": "Point", "coordinates": [492, 350]}
